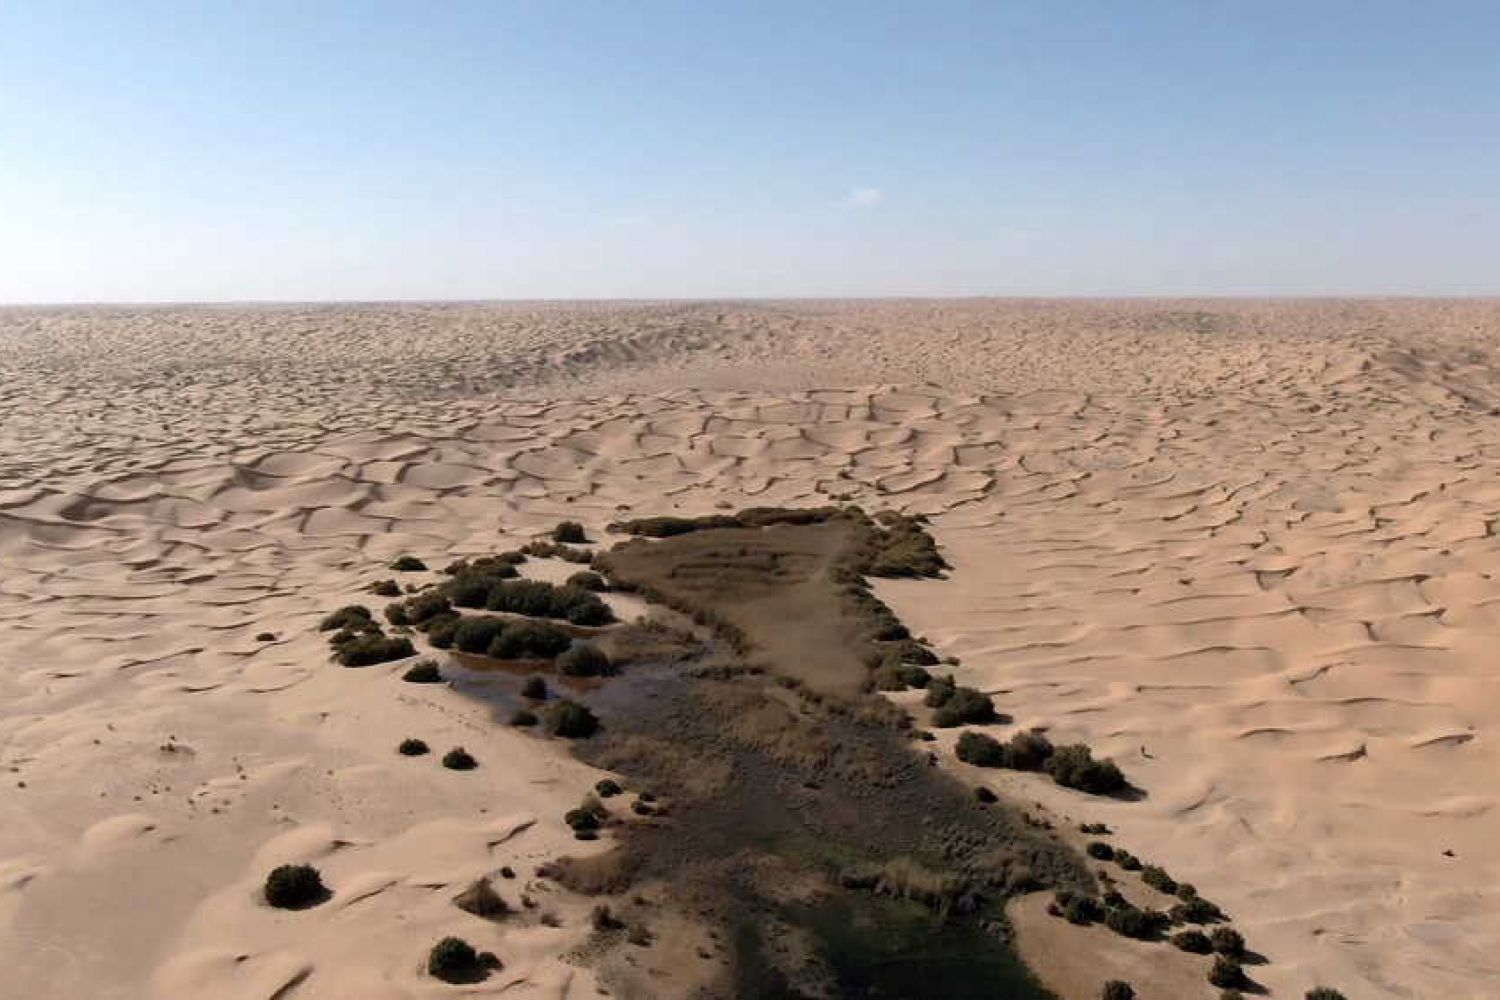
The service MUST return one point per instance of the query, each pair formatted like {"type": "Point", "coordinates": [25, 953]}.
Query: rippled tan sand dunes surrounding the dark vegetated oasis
{"type": "Point", "coordinates": [1246, 548]}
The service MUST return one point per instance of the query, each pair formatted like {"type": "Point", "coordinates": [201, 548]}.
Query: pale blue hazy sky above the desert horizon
{"type": "Point", "coordinates": [566, 149]}
